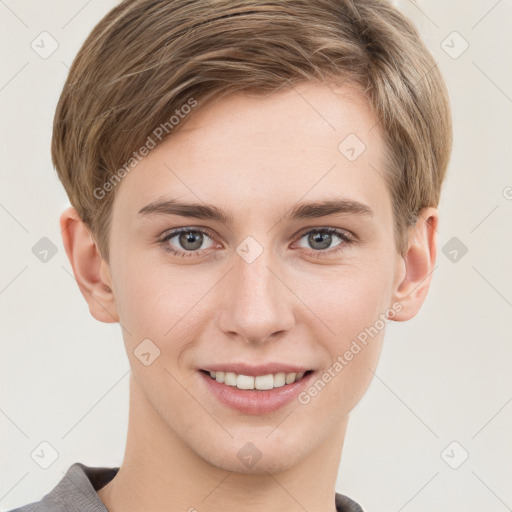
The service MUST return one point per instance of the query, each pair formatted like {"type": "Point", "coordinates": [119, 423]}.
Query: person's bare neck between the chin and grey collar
{"type": "Point", "coordinates": [161, 472]}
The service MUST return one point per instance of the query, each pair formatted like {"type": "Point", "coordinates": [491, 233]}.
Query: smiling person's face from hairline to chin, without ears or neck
{"type": "Point", "coordinates": [272, 281]}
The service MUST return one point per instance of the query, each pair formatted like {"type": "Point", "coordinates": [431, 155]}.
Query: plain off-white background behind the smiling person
{"type": "Point", "coordinates": [444, 376]}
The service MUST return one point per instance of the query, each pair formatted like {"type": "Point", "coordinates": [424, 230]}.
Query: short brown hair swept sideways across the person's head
{"type": "Point", "coordinates": [147, 58]}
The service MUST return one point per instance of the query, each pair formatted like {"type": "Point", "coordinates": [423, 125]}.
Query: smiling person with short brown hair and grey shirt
{"type": "Point", "coordinates": [254, 190]}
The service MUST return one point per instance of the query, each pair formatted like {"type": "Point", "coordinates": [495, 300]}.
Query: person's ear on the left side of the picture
{"type": "Point", "coordinates": [92, 273]}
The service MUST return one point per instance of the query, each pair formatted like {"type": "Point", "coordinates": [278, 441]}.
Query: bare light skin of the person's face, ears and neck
{"type": "Point", "coordinates": [256, 158]}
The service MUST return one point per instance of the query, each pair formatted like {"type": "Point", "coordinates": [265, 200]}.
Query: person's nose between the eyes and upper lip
{"type": "Point", "coordinates": [257, 306]}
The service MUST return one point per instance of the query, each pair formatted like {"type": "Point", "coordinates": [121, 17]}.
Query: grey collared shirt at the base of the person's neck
{"type": "Point", "coordinates": [76, 492]}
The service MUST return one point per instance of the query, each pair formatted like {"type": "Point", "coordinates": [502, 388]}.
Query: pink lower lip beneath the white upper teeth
{"type": "Point", "coordinates": [253, 401]}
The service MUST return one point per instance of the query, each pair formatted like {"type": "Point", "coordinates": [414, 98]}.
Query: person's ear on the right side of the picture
{"type": "Point", "coordinates": [417, 265]}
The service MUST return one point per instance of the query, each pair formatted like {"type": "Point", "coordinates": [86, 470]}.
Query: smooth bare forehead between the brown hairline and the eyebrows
{"type": "Point", "coordinates": [254, 153]}
